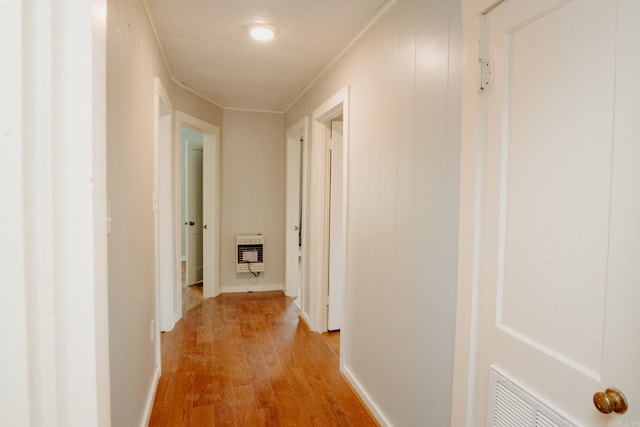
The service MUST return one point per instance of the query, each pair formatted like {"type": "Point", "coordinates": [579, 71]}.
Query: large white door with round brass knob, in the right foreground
{"type": "Point", "coordinates": [559, 252]}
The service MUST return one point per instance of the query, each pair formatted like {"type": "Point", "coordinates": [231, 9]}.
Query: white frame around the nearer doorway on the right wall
{"type": "Point", "coordinates": [319, 212]}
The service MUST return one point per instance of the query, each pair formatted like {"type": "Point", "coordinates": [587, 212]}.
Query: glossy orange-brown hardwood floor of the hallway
{"type": "Point", "coordinates": [246, 360]}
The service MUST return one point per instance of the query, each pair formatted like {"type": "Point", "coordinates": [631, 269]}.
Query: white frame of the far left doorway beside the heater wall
{"type": "Point", "coordinates": [211, 202]}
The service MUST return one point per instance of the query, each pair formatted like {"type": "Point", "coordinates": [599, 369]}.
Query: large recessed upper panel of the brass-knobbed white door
{"type": "Point", "coordinates": [554, 149]}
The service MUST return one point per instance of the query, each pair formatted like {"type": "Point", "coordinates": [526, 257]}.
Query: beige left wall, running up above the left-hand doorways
{"type": "Point", "coordinates": [133, 61]}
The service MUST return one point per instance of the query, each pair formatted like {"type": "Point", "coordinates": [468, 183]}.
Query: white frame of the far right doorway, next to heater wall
{"type": "Point", "coordinates": [297, 137]}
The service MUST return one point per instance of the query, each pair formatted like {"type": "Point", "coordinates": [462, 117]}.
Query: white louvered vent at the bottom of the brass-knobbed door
{"type": "Point", "coordinates": [511, 406]}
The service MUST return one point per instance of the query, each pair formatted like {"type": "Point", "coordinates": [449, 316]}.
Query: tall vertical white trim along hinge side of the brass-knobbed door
{"type": "Point", "coordinates": [469, 233]}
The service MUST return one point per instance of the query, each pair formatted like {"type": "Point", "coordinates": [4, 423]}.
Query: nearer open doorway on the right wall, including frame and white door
{"type": "Point", "coordinates": [328, 214]}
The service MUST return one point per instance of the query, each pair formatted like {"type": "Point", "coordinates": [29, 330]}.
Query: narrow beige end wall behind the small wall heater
{"type": "Point", "coordinates": [253, 184]}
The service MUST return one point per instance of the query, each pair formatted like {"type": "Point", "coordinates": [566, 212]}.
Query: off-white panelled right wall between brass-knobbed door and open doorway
{"type": "Point", "coordinates": [402, 207]}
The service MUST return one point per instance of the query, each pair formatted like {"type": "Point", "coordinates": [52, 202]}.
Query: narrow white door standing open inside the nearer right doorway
{"type": "Point", "coordinates": [336, 230]}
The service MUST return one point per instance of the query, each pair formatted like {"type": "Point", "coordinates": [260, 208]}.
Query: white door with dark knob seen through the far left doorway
{"type": "Point", "coordinates": [194, 213]}
